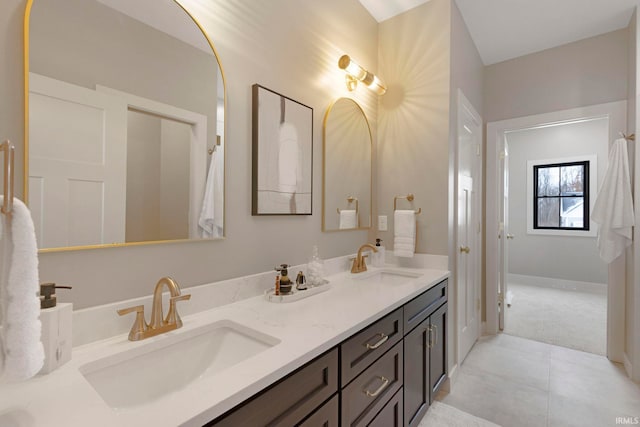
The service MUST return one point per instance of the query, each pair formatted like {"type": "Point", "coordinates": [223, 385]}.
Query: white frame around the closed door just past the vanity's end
{"type": "Point", "coordinates": [476, 251]}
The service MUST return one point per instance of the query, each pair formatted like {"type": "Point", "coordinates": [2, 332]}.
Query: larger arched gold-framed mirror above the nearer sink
{"type": "Point", "coordinates": [125, 120]}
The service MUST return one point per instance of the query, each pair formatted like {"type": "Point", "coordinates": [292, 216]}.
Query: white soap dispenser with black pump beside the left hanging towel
{"type": "Point", "coordinates": [56, 328]}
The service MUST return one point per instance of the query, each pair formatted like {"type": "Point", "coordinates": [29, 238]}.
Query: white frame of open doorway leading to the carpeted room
{"type": "Point", "coordinates": [616, 112]}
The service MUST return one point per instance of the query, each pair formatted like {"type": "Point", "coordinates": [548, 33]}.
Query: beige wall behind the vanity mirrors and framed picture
{"type": "Point", "coordinates": [290, 47]}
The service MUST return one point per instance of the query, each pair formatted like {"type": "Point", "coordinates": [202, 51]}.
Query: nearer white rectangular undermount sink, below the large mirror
{"type": "Point", "coordinates": [171, 362]}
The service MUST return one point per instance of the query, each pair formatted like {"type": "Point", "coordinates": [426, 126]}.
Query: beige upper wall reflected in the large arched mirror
{"type": "Point", "coordinates": [68, 43]}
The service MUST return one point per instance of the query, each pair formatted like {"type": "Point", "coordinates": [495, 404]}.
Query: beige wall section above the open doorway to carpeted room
{"type": "Point", "coordinates": [587, 72]}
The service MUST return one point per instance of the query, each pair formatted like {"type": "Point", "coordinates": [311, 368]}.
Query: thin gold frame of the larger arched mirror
{"type": "Point", "coordinates": [26, 29]}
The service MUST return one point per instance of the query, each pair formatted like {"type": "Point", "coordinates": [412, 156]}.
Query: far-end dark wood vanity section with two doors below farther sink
{"type": "Point", "coordinates": [425, 351]}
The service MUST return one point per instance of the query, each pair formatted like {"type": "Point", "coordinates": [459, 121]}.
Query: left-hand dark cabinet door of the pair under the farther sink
{"type": "Point", "coordinates": [416, 374]}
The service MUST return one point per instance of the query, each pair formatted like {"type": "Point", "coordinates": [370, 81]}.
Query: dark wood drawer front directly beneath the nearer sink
{"type": "Point", "coordinates": [288, 402]}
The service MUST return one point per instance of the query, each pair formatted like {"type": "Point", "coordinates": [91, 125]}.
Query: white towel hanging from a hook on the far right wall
{"type": "Point", "coordinates": [613, 209]}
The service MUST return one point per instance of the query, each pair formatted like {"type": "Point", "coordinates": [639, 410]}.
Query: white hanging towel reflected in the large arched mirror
{"type": "Point", "coordinates": [210, 220]}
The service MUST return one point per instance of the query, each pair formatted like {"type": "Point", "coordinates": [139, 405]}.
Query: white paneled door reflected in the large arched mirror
{"type": "Point", "coordinates": [77, 164]}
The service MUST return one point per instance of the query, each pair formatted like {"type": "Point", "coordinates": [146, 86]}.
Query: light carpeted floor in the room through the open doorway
{"type": "Point", "coordinates": [570, 319]}
